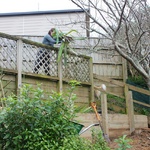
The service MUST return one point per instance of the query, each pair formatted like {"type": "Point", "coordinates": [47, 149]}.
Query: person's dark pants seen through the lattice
{"type": "Point", "coordinates": [43, 59]}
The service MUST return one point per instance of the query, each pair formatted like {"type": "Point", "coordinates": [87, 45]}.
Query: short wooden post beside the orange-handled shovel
{"type": "Point", "coordinates": [104, 113]}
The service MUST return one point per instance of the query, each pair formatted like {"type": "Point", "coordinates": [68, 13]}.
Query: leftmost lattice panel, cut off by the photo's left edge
{"type": "Point", "coordinates": [8, 53]}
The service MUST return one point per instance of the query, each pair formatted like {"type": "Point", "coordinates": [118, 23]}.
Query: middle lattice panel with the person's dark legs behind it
{"type": "Point", "coordinates": [39, 60]}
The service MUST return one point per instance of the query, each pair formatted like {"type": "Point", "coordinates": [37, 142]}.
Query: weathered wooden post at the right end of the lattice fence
{"type": "Point", "coordinates": [91, 81]}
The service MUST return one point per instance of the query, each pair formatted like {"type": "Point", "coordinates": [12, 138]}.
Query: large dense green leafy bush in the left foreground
{"type": "Point", "coordinates": [31, 123]}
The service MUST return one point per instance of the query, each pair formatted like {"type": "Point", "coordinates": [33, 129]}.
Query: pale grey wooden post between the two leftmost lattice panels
{"type": "Point", "coordinates": [19, 65]}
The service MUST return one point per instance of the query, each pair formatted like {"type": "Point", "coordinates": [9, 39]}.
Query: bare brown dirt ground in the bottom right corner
{"type": "Point", "coordinates": [140, 140]}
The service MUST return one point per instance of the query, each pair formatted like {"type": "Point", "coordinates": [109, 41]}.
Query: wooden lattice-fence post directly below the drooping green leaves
{"type": "Point", "coordinates": [60, 82]}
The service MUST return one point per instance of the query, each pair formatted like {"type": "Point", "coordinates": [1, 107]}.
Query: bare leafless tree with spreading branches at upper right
{"type": "Point", "coordinates": [126, 23]}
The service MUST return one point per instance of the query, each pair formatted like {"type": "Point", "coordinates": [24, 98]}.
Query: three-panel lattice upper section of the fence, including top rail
{"type": "Point", "coordinates": [27, 56]}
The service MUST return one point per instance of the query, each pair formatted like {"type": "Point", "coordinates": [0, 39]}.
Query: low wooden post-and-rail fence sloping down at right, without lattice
{"type": "Point", "coordinates": [128, 98]}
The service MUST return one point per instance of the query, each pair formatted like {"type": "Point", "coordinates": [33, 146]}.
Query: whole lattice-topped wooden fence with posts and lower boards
{"type": "Point", "coordinates": [17, 63]}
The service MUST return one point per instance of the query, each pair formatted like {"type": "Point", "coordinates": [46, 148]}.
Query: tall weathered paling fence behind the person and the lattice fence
{"type": "Point", "coordinates": [106, 62]}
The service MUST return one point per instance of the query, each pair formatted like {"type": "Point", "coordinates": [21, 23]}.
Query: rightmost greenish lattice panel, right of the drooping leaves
{"type": "Point", "coordinates": [77, 68]}
